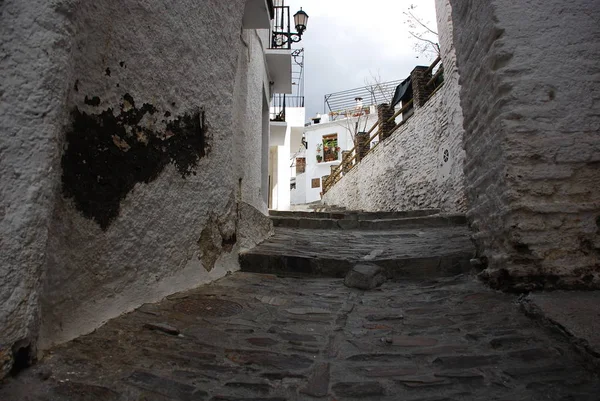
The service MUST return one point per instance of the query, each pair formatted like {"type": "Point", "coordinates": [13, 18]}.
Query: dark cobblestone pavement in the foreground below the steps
{"type": "Point", "coordinates": [262, 337]}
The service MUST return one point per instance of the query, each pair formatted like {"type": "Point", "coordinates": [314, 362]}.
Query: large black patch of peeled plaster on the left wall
{"type": "Point", "coordinates": [108, 153]}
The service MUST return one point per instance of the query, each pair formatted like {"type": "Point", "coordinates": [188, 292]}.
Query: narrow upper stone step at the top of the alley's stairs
{"type": "Point", "coordinates": [363, 221]}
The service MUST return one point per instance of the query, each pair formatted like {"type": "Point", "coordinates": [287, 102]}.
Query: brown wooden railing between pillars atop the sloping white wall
{"type": "Point", "coordinates": [353, 157]}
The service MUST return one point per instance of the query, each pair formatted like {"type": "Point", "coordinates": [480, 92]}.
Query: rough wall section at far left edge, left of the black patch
{"type": "Point", "coordinates": [34, 67]}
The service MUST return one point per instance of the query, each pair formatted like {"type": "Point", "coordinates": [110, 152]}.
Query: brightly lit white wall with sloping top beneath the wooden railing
{"type": "Point", "coordinates": [407, 170]}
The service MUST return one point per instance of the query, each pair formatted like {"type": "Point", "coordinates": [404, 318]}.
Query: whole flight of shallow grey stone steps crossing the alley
{"type": "Point", "coordinates": [328, 242]}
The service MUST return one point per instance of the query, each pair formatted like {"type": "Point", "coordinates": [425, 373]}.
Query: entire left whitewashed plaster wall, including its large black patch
{"type": "Point", "coordinates": [82, 242]}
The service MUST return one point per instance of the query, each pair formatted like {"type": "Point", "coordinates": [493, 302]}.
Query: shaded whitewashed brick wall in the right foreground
{"type": "Point", "coordinates": [530, 96]}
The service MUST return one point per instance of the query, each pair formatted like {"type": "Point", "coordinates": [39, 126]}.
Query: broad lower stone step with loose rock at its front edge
{"type": "Point", "coordinates": [402, 253]}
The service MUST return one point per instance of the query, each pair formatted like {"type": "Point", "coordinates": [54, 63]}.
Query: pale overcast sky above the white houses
{"type": "Point", "coordinates": [346, 40]}
